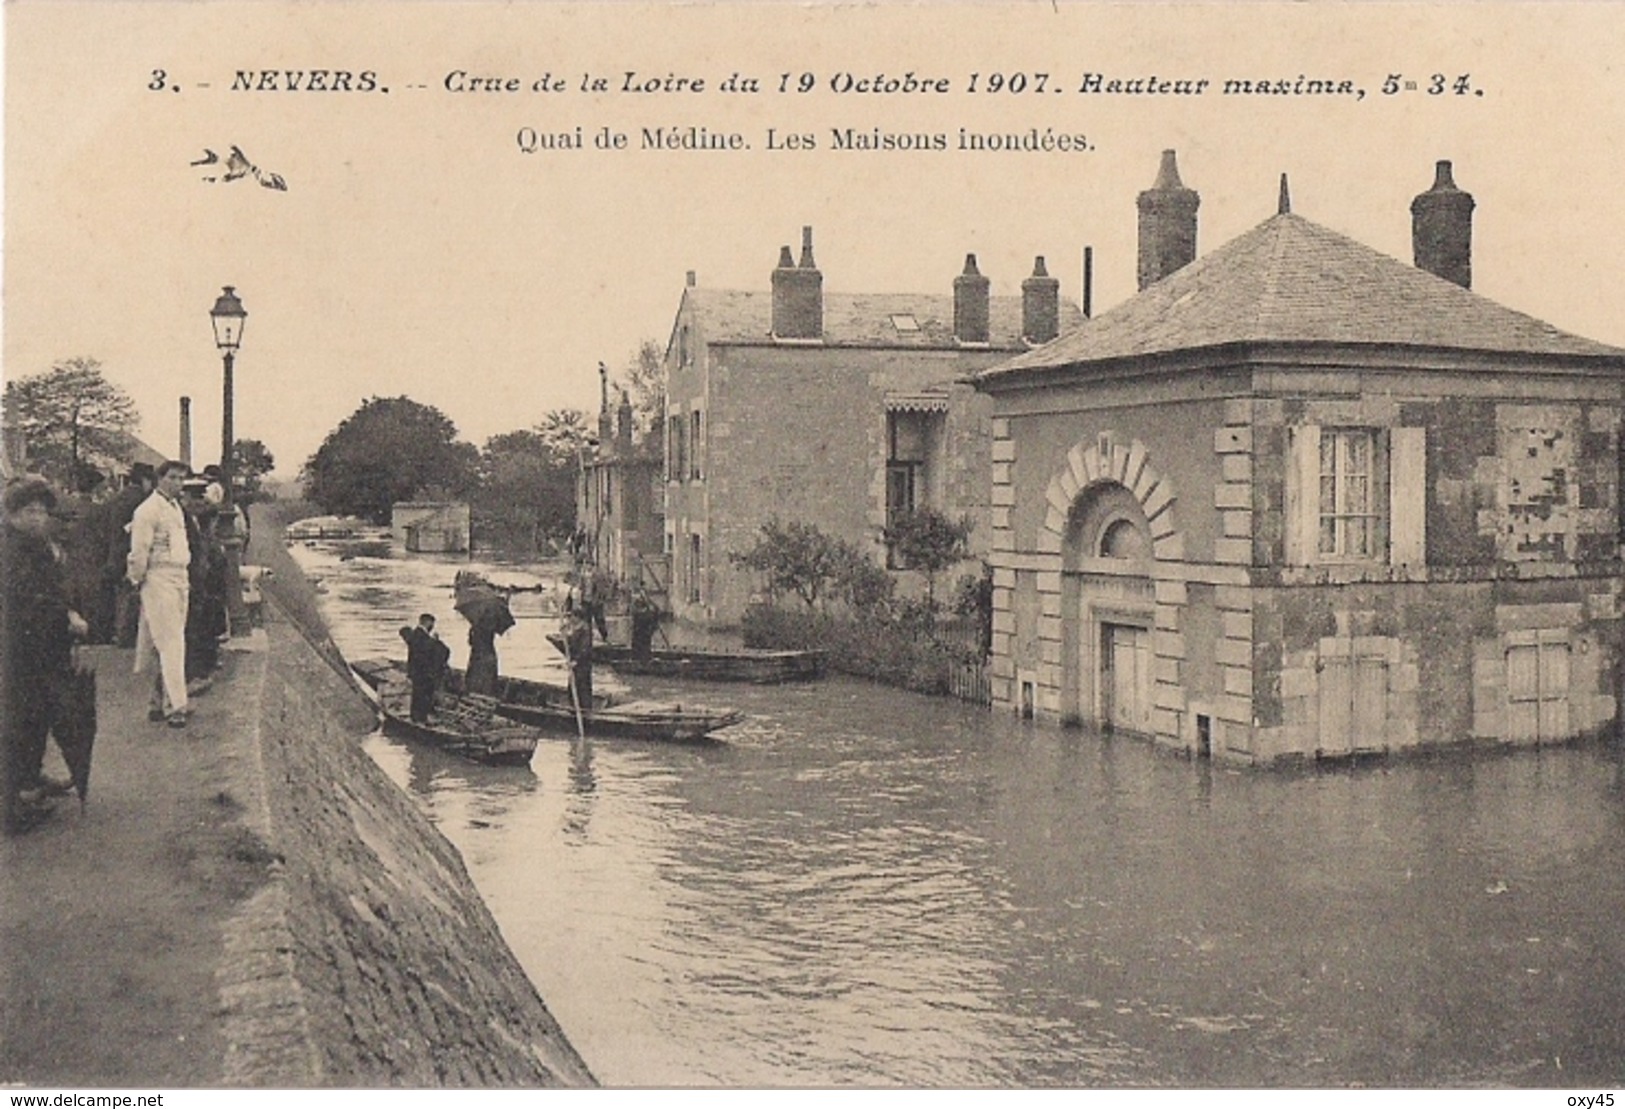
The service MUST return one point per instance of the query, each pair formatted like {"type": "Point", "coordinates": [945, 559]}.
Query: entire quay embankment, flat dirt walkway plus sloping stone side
{"type": "Point", "coordinates": [251, 902]}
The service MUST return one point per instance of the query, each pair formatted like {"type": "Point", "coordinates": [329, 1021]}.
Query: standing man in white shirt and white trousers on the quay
{"type": "Point", "coordinates": [158, 567]}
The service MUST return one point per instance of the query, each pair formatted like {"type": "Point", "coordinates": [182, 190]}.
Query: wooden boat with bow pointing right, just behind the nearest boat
{"type": "Point", "coordinates": [548, 707]}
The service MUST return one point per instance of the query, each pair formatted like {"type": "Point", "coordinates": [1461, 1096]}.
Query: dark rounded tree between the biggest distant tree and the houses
{"type": "Point", "coordinates": [527, 492]}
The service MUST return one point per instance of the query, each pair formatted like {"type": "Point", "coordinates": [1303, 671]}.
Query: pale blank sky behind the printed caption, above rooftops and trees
{"type": "Point", "coordinates": [418, 251]}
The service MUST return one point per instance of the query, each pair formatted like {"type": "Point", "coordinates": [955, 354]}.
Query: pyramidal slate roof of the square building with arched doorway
{"type": "Point", "coordinates": [1291, 281]}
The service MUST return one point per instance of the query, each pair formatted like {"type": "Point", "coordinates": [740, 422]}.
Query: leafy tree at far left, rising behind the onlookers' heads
{"type": "Point", "coordinates": [72, 419]}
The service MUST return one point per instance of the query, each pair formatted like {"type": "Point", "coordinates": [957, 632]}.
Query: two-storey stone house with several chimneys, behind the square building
{"type": "Point", "coordinates": [836, 411]}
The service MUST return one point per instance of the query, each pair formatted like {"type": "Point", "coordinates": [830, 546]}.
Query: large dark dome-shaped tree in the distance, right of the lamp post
{"type": "Point", "coordinates": [391, 450]}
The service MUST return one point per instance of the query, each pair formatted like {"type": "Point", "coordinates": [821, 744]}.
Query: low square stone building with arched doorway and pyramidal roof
{"type": "Point", "coordinates": [1298, 498]}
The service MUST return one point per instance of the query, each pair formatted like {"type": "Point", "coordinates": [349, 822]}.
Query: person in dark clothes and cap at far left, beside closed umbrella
{"type": "Point", "coordinates": [38, 643]}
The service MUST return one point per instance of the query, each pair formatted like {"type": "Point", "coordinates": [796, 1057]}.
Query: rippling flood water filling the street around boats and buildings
{"type": "Point", "coordinates": [862, 887]}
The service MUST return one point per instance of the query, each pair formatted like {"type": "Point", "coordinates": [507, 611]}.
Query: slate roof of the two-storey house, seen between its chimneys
{"type": "Point", "coordinates": [864, 320]}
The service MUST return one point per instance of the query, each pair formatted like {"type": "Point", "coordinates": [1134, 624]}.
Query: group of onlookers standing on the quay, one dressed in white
{"type": "Point", "coordinates": [145, 568]}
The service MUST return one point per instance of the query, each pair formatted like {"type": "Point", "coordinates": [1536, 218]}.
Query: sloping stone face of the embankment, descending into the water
{"type": "Point", "coordinates": [368, 957]}
